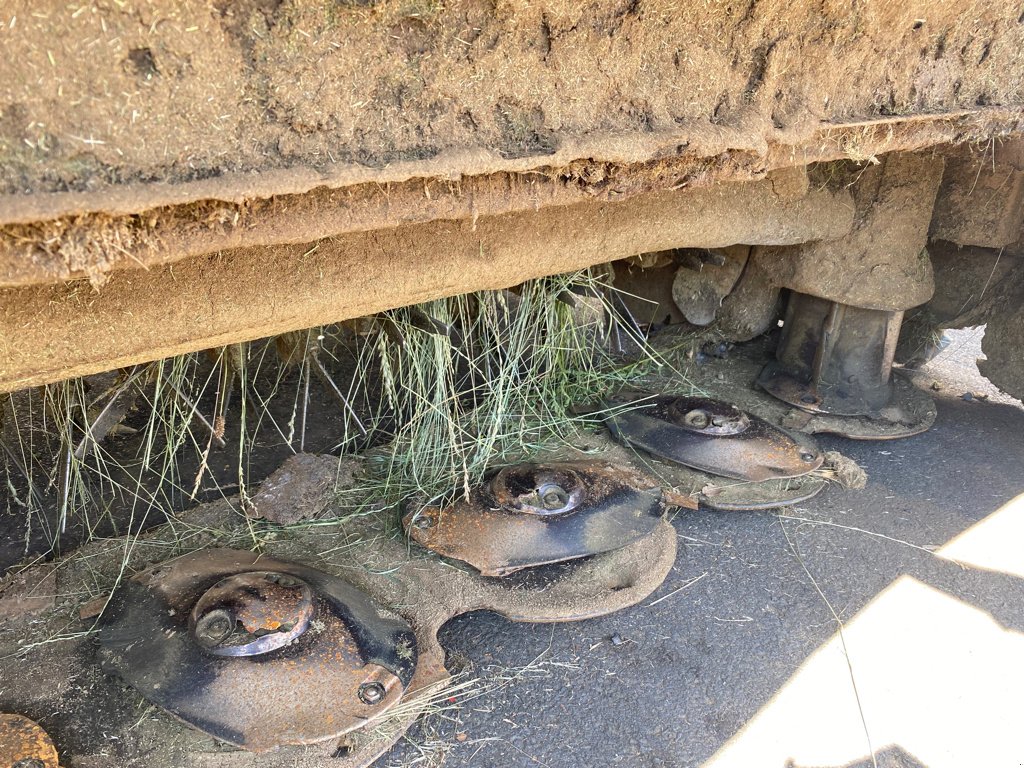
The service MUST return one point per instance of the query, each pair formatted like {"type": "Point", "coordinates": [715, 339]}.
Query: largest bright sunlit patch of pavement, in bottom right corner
{"type": "Point", "coordinates": [937, 682]}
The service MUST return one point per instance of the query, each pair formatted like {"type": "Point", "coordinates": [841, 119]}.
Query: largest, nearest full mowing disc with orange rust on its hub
{"type": "Point", "coordinates": [255, 652]}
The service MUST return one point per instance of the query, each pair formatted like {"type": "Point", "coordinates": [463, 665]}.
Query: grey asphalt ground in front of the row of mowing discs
{"type": "Point", "coordinates": [688, 674]}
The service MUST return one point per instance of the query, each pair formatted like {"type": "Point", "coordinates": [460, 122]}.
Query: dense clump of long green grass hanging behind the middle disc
{"type": "Point", "coordinates": [494, 376]}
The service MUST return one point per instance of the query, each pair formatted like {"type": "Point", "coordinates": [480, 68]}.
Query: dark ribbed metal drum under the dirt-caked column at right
{"type": "Point", "coordinates": [834, 359]}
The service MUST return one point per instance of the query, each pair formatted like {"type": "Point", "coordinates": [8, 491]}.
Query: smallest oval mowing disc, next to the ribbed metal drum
{"type": "Point", "coordinates": [712, 437]}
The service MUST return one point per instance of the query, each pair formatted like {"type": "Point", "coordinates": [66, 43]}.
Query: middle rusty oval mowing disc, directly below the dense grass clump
{"type": "Point", "coordinates": [533, 515]}
